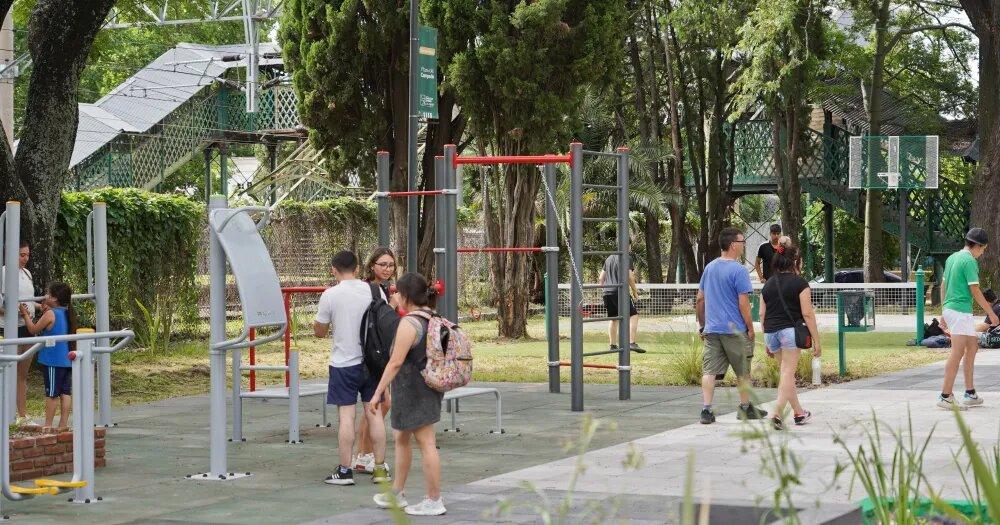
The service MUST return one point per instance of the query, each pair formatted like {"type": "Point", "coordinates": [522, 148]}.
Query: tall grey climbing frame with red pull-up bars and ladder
{"type": "Point", "coordinates": [446, 249]}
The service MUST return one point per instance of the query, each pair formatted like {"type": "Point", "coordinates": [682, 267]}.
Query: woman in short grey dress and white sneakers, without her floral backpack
{"type": "Point", "coordinates": [416, 406]}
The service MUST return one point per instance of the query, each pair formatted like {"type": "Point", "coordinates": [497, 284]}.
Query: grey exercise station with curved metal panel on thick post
{"type": "Point", "coordinates": [235, 236]}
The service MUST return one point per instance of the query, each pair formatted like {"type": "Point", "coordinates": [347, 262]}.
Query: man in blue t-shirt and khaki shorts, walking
{"type": "Point", "coordinates": [723, 310]}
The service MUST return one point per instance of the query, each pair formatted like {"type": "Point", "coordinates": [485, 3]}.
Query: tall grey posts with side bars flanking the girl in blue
{"type": "Point", "coordinates": [97, 291]}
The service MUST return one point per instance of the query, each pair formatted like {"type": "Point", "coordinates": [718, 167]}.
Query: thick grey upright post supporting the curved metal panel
{"type": "Point", "coordinates": [217, 324]}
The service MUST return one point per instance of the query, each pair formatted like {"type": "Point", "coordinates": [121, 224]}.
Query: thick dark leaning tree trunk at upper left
{"type": "Point", "coordinates": [60, 36]}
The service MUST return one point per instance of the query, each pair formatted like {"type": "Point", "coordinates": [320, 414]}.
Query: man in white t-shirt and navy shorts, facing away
{"type": "Point", "coordinates": [343, 306]}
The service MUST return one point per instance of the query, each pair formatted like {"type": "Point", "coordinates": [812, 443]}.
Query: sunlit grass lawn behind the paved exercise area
{"type": "Point", "coordinates": [672, 358]}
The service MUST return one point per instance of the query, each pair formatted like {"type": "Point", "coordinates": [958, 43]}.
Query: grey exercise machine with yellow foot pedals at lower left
{"type": "Point", "coordinates": [83, 359]}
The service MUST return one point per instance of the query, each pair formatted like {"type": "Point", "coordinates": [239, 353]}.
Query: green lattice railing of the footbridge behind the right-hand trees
{"type": "Point", "coordinates": [936, 219]}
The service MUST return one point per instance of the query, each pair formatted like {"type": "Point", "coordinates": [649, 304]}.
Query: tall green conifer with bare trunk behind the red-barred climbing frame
{"type": "Point", "coordinates": [520, 79]}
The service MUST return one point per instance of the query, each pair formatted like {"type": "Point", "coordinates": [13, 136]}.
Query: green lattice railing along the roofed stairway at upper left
{"type": "Point", "coordinates": [142, 160]}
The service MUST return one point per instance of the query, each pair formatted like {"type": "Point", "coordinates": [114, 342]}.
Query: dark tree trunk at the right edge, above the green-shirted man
{"type": "Point", "coordinates": [985, 18]}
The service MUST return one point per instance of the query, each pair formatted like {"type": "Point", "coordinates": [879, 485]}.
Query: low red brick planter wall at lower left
{"type": "Point", "coordinates": [47, 452]}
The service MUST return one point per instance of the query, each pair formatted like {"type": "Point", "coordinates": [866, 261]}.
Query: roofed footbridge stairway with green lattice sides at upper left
{"type": "Point", "coordinates": [174, 108]}
